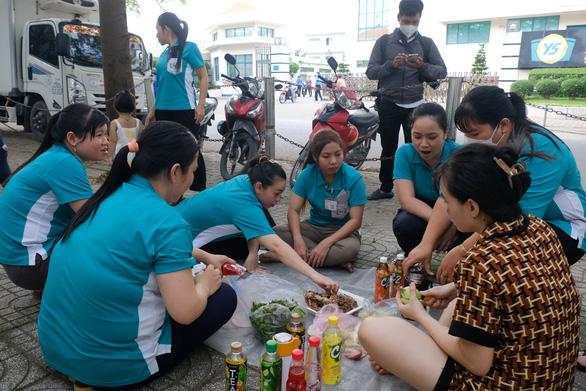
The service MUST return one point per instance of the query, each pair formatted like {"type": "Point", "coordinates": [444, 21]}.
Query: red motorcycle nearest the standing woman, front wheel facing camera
{"type": "Point", "coordinates": [245, 118]}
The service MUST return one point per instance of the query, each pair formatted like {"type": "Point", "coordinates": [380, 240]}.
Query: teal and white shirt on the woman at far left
{"type": "Point", "coordinates": [35, 205]}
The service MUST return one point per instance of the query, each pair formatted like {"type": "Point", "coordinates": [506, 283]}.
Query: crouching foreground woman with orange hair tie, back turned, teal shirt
{"type": "Point", "coordinates": [120, 304]}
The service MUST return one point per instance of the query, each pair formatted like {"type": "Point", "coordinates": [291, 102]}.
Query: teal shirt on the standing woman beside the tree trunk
{"type": "Point", "coordinates": [176, 88]}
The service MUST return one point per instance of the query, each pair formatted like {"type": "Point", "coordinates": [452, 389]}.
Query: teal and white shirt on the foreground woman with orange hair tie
{"type": "Point", "coordinates": [103, 320]}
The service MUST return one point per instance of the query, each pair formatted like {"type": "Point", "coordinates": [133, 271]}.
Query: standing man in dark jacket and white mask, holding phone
{"type": "Point", "coordinates": [401, 62]}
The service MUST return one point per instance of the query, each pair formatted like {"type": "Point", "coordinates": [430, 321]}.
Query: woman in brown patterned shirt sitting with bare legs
{"type": "Point", "coordinates": [511, 318]}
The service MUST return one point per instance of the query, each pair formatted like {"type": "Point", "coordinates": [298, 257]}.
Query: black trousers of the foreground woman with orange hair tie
{"type": "Point", "coordinates": [185, 338]}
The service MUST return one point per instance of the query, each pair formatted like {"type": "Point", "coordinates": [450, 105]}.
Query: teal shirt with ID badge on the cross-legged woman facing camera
{"type": "Point", "coordinates": [330, 205]}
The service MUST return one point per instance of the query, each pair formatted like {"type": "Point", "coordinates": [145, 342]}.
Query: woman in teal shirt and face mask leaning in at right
{"type": "Point", "coordinates": [488, 115]}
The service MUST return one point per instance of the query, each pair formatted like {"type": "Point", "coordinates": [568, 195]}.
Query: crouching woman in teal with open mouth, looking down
{"type": "Point", "coordinates": [415, 164]}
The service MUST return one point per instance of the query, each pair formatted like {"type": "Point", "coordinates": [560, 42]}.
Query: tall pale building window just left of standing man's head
{"type": "Point", "coordinates": [373, 19]}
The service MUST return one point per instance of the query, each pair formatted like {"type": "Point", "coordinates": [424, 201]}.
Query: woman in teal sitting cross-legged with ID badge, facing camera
{"type": "Point", "coordinates": [337, 195]}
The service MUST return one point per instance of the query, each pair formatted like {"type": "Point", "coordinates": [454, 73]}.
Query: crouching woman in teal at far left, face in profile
{"type": "Point", "coordinates": [42, 195]}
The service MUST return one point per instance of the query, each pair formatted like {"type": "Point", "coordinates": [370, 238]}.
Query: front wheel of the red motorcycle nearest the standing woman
{"type": "Point", "coordinates": [233, 161]}
